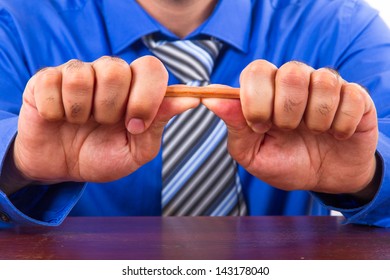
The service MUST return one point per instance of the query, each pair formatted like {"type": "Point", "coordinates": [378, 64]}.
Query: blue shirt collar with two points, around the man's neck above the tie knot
{"type": "Point", "coordinates": [230, 23]}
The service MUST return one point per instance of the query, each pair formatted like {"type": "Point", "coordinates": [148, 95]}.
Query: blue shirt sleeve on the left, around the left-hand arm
{"type": "Point", "coordinates": [43, 205]}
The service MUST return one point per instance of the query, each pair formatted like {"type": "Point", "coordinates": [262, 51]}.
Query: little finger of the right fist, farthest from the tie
{"type": "Point", "coordinates": [350, 111]}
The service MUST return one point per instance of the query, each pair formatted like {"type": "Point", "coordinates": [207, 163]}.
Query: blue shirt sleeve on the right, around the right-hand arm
{"type": "Point", "coordinates": [365, 60]}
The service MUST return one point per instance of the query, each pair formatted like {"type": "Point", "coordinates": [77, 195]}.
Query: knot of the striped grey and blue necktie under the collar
{"type": "Point", "coordinates": [191, 61]}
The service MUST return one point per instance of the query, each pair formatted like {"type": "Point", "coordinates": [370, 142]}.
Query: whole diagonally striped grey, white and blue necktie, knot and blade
{"type": "Point", "coordinates": [199, 176]}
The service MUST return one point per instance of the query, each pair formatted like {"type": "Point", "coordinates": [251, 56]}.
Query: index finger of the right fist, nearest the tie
{"type": "Point", "coordinates": [257, 83]}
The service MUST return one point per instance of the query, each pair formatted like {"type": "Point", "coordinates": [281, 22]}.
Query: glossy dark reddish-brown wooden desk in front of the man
{"type": "Point", "coordinates": [197, 238]}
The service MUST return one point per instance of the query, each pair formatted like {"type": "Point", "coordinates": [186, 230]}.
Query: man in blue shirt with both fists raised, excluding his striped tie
{"type": "Point", "coordinates": [96, 111]}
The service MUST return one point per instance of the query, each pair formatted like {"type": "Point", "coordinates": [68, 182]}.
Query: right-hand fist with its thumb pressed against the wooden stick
{"type": "Point", "coordinates": [300, 128]}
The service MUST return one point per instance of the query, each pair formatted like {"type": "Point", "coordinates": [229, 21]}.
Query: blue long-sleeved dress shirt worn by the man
{"type": "Point", "coordinates": [346, 35]}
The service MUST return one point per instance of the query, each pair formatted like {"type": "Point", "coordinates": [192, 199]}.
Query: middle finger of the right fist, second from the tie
{"type": "Point", "coordinates": [291, 94]}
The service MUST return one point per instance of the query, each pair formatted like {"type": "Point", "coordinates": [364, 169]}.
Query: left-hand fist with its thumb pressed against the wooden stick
{"type": "Point", "coordinates": [95, 121]}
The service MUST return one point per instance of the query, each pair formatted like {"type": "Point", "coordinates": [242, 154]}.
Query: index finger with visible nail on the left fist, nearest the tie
{"type": "Point", "coordinates": [148, 86]}
